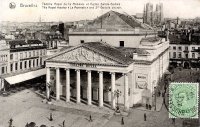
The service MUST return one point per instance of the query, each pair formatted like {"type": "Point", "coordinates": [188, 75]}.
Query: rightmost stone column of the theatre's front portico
{"type": "Point", "coordinates": [126, 104]}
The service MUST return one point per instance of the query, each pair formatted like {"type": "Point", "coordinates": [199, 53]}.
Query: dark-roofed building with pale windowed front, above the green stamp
{"type": "Point", "coordinates": [185, 49]}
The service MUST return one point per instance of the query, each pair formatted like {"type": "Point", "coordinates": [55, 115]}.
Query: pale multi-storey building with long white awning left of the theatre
{"type": "Point", "coordinates": [23, 60]}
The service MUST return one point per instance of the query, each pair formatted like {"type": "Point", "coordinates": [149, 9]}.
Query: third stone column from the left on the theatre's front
{"type": "Point", "coordinates": [67, 85]}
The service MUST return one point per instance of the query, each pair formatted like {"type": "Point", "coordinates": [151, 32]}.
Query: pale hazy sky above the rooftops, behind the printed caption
{"type": "Point", "coordinates": [172, 8]}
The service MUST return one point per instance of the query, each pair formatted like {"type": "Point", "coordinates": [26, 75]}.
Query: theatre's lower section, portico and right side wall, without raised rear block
{"type": "Point", "coordinates": [94, 71]}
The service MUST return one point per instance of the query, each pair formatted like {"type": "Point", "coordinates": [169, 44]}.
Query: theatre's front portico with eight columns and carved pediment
{"type": "Point", "coordinates": [99, 84]}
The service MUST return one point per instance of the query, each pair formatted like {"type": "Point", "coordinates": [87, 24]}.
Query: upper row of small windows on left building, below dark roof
{"type": "Point", "coordinates": [28, 54]}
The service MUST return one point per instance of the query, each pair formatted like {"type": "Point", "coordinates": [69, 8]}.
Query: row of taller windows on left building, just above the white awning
{"type": "Point", "coordinates": [25, 64]}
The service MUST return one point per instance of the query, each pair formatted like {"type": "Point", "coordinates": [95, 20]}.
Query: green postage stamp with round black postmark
{"type": "Point", "coordinates": [183, 100]}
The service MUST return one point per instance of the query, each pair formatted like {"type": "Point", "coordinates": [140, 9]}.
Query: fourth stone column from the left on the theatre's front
{"type": "Point", "coordinates": [78, 86]}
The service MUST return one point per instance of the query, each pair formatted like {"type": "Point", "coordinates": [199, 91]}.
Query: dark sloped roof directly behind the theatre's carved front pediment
{"type": "Point", "coordinates": [103, 49]}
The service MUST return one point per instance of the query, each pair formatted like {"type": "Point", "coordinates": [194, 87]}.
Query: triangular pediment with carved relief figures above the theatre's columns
{"type": "Point", "coordinates": [83, 55]}
